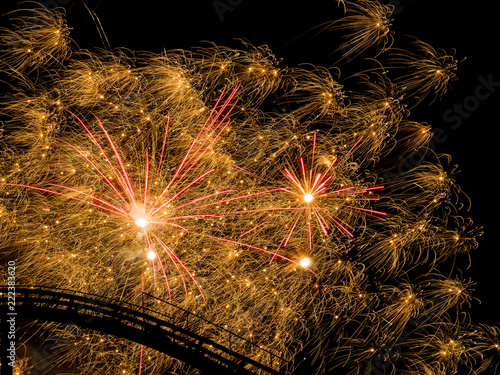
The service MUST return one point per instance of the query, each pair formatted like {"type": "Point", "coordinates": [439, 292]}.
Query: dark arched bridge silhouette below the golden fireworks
{"type": "Point", "coordinates": [169, 334]}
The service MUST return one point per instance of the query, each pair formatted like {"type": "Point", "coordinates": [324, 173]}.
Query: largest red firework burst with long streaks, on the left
{"type": "Point", "coordinates": [125, 192]}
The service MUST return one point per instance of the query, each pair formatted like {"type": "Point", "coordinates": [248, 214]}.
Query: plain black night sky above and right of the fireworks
{"type": "Point", "coordinates": [470, 27]}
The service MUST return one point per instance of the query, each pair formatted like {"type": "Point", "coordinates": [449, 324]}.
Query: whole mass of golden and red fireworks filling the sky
{"type": "Point", "coordinates": [174, 176]}
